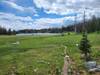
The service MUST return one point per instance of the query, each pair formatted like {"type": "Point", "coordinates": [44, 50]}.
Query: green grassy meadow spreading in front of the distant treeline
{"type": "Point", "coordinates": [40, 52]}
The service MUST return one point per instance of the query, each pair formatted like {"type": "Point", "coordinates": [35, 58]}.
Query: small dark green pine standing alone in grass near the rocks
{"type": "Point", "coordinates": [85, 47]}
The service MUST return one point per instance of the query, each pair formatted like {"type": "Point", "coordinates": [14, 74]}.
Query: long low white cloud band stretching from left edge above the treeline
{"type": "Point", "coordinates": [16, 22]}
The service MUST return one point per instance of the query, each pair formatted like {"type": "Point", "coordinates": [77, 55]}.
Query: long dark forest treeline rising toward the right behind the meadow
{"type": "Point", "coordinates": [92, 25]}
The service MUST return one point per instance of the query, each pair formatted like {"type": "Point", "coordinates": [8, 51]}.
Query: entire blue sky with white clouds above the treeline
{"type": "Point", "coordinates": [39, 14]}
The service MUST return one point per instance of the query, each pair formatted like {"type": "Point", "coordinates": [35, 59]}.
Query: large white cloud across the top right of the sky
{"type": "Point", "coordinates": [63, 7]}
